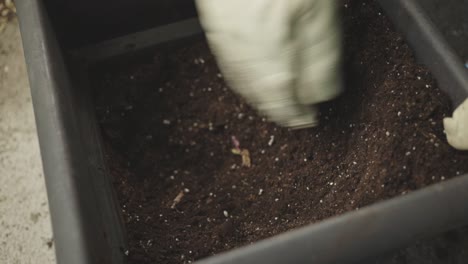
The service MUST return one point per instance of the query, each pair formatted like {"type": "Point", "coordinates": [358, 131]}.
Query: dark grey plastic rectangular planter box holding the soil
{"type": "Point", "coordinates": [86, 221]}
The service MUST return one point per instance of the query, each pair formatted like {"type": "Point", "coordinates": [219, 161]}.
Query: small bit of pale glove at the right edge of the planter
{"type": "Point", "coordinates": [456, 127]}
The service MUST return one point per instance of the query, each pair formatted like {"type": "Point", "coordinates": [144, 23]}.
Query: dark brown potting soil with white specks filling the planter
{"type": "Point", "coordinates": [167, 121]}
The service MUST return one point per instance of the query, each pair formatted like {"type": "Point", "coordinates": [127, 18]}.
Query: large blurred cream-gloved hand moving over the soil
{"type": "Point", "coordinates": [283, 56]}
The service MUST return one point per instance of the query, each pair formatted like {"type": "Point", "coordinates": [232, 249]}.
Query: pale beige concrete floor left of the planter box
{"type": "Point", "coordinates": [25, 229]}
